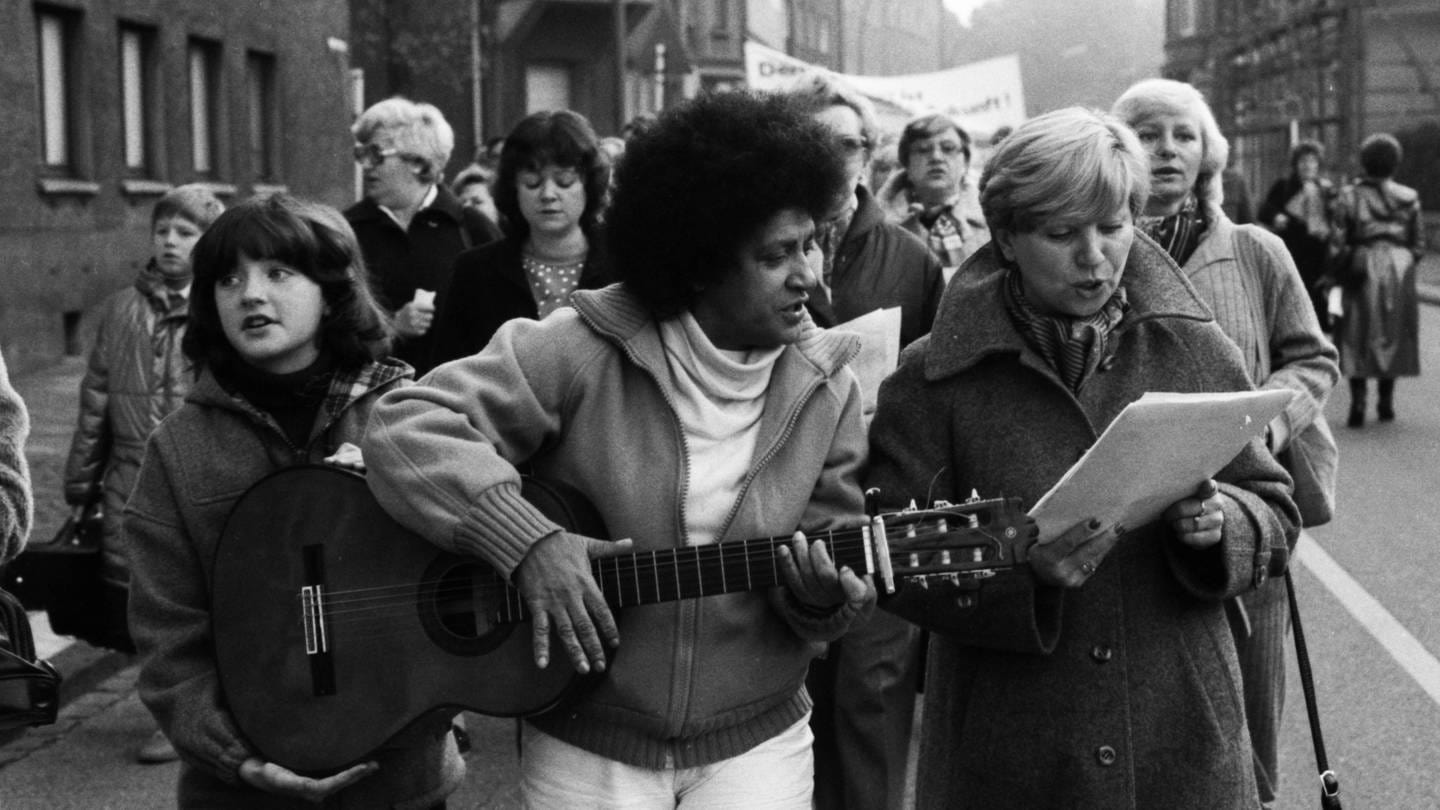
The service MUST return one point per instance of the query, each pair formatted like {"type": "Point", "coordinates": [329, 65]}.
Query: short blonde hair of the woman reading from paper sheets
{"type": "Point", "coordinates": [1074, 162]}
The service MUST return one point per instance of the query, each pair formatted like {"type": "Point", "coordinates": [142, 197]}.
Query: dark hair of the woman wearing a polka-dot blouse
{"type": "Point", "coordinates": [561, 138]}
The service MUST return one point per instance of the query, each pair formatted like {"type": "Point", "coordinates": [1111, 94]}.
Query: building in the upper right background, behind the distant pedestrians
{"type": "Point", "coordinates": [1327, 70]}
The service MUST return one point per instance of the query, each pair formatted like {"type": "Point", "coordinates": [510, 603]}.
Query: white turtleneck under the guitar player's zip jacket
{"type": "Point", "coordinates": [721, 399]}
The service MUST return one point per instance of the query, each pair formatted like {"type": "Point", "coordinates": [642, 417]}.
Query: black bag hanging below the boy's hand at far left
{"type": "Point", "coordinates": [63, 577]}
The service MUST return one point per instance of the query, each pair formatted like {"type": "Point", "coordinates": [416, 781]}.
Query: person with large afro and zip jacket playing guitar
{"type": "Point", "coordinates": [692, 403]}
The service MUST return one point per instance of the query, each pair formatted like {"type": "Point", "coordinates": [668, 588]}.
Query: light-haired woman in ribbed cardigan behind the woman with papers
{"type": "Point", "coordinates": [1252, 286]}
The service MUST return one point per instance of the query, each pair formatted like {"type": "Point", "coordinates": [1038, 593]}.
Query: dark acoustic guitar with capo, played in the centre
{"type": "Point", "coordinates": [336, 628]}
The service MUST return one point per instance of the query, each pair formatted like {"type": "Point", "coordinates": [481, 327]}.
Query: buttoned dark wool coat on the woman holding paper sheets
{"type": "Point", "coordinates": [1125, 693]}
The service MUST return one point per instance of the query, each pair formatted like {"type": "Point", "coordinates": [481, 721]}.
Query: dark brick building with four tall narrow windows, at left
{"type": "Point", "coordinates": [106, 104]}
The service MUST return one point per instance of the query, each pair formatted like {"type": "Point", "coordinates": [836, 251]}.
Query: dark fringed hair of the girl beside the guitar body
{"type": "Point", "coordinates": [309, 237]}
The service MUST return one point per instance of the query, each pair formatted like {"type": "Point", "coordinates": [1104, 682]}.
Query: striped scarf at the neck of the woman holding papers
{"type": "Point", "coordinates": [1074, 347]}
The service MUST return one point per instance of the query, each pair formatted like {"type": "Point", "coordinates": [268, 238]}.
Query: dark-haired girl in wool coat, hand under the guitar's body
{"type": "Point", "coordinates": [287, 342]}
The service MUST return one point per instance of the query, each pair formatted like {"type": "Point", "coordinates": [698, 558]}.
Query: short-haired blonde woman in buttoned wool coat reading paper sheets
{"type": "Point", "coordinates": [1102, 675]}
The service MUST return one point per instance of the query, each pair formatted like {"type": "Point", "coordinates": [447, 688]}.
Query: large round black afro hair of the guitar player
{"type": "Point", "coordinates": [705, 179]}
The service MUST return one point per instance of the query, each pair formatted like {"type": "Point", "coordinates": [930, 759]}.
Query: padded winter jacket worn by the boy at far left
{"type": "Point", "coordinates": [138, 375]}
